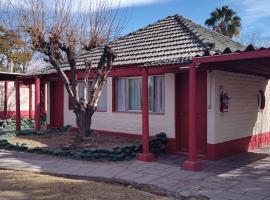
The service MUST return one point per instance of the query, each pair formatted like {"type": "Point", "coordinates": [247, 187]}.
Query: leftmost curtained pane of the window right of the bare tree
{"type": "Point", "coordinates": [121, 94]}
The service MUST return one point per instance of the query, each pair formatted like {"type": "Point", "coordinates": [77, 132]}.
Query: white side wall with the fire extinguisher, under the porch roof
{"type": "Point", "coordinates": [244, 118]}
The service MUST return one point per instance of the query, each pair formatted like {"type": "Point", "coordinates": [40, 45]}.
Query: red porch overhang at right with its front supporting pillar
{"type": "Point", "coordinates": [250, 61]}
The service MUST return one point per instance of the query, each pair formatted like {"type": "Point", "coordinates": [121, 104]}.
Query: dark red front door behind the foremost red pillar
{"type": "Point", "coordinates": [181, 111]}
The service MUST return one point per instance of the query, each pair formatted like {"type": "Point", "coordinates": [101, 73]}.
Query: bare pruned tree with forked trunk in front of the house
{"type": "Point", "coordinates": [63, 28]}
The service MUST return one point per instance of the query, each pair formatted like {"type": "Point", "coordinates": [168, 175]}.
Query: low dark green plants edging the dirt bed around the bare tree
{"type": "Point", "coordinates": [117, 153]}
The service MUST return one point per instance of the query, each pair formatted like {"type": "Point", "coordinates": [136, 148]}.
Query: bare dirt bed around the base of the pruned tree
{"type": "Point", "coordinates": [58, 140]}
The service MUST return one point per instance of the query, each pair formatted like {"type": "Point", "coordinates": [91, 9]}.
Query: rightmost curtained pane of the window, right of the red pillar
{"type": "Point", "coordinates": [159, 93]}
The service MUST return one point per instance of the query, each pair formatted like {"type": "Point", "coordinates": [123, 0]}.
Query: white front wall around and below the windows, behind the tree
{"type": "Point", "coordinates": [131, 122]}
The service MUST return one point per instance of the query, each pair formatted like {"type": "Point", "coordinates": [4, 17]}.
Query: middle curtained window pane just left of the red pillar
{"type": "Point", "coordinates": [135, 94]}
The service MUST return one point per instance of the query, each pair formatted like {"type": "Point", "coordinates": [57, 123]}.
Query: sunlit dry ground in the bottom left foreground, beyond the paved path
{"type": "Point", "coordinates": [18, 185]}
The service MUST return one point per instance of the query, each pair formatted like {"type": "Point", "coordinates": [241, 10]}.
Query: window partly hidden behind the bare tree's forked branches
{"type": "Point", "coordinates": [102, 103]}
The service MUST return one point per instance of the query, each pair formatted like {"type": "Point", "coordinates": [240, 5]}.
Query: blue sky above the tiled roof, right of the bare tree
{"type": "Point", "coordinates": [255, 14]}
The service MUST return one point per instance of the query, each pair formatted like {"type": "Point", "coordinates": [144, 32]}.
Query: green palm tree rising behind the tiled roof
{"type": "Point", "coordinates": [225, 21]}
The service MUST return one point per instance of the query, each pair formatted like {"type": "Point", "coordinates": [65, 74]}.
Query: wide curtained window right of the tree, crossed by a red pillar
{"type": "Point", "coordinates": [129, 94]}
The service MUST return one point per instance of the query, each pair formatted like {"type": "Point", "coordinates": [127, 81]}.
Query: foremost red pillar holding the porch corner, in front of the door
{"type": "Point", "coordinates": [192, 163]}
